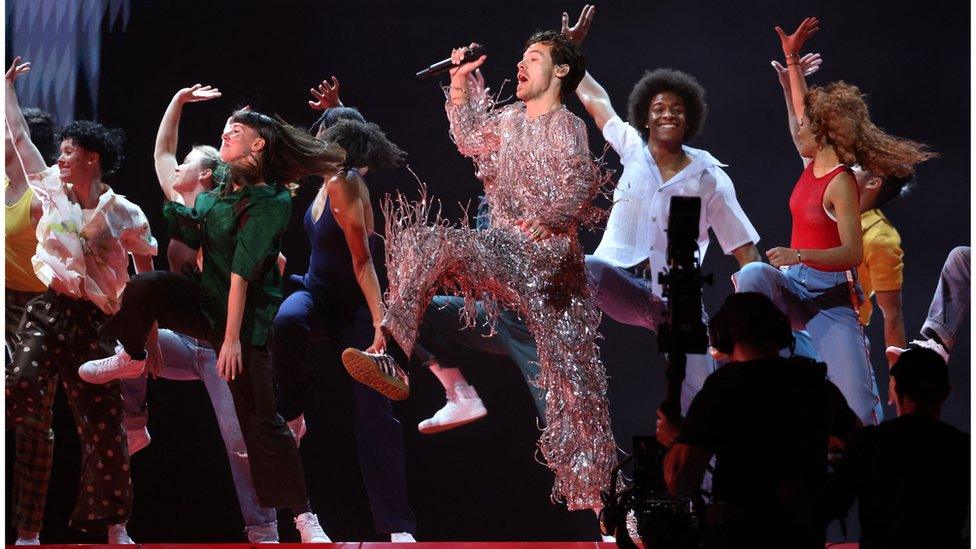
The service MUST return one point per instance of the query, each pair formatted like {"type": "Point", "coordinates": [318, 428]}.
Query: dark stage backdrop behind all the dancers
{"type": "Point", "coordinates": [482, 482]}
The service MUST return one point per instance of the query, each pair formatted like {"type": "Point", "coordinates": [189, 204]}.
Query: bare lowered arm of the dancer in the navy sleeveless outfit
{"type": "Point", "coordinates": [349, 211]}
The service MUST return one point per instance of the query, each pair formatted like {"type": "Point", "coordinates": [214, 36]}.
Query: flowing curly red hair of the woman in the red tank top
{"type": "Point", "coordinates": [839, 117]}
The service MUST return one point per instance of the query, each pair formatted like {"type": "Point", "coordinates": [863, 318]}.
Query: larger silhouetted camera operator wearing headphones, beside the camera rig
{"type": "Point", "coordinates": [767, 420]}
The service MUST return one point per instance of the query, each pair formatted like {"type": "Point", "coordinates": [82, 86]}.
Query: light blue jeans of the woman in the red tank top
{"type": "Point", "coordinates": [824, 303]}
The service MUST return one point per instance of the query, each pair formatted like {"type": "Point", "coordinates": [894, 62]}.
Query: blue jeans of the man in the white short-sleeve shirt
{"type": "Point", "coordinates": [629, 300]}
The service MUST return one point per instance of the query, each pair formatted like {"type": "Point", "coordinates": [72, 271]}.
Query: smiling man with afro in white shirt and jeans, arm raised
{"type": "Point", "coordinates": [666, 109]}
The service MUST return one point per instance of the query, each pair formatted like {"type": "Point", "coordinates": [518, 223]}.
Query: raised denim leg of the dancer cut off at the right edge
{"type": "Point", "coordinates": [950, 304]}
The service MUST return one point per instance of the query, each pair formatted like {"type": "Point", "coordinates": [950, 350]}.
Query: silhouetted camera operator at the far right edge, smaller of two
{"type": "Point", "coordinates": [910, 474]}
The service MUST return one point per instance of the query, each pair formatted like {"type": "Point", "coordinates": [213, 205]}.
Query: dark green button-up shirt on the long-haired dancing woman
{"type": "Point", "coordinates": [240, 232]}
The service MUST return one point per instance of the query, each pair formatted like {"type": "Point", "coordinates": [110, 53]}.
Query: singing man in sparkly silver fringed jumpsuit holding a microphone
{"type": "Point", "coordinates": [540, 180]}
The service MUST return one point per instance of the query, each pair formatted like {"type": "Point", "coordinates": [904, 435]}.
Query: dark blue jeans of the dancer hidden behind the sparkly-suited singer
{"type": "Point", "coordinates": [440, 334]}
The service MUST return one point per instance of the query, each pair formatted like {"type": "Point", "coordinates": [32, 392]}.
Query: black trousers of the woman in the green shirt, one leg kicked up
{"type": "Point", "coordinates": [173, 301]}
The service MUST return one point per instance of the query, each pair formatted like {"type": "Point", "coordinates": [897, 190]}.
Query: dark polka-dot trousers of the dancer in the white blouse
{"type": "Point", "coordinates": [57, 334]}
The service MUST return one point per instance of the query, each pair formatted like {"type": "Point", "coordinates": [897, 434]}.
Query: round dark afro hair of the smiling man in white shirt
{"type": "Point", "coordinates": [680, 83]}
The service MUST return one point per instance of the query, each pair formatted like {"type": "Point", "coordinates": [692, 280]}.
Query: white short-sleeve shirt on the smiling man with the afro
{"type": "Point", "coordinates": [639, 217]}
